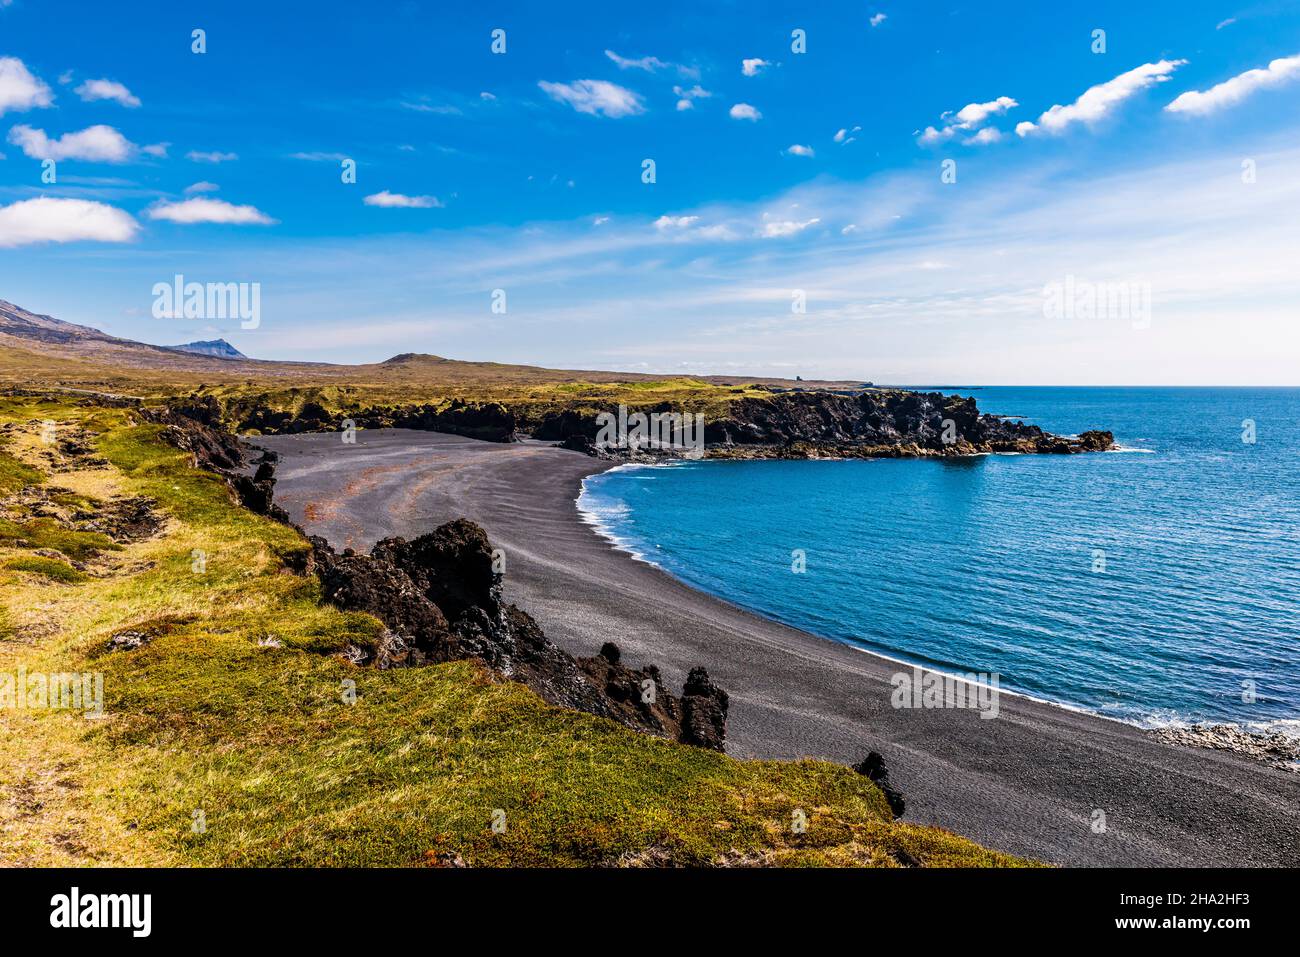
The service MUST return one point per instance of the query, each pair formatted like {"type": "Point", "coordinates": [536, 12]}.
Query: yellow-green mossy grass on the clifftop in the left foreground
{"type": "Point", "coordinates": [235, 714]}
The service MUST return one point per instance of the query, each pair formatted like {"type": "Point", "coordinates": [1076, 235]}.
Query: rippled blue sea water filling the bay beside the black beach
{"type": "Point", "coordinates": [1158, 586]}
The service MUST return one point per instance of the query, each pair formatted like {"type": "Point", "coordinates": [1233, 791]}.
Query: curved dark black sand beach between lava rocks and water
{"type": "Point", "coordinates": [1030, 782]}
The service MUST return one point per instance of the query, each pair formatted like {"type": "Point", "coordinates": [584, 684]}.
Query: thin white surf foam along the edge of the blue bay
{"type": "Point", "coordinates": [1289, 728]}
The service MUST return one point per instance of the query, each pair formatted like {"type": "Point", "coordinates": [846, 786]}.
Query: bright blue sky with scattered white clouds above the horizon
{"type": "Point", "coordinates": [1169, 163]}
